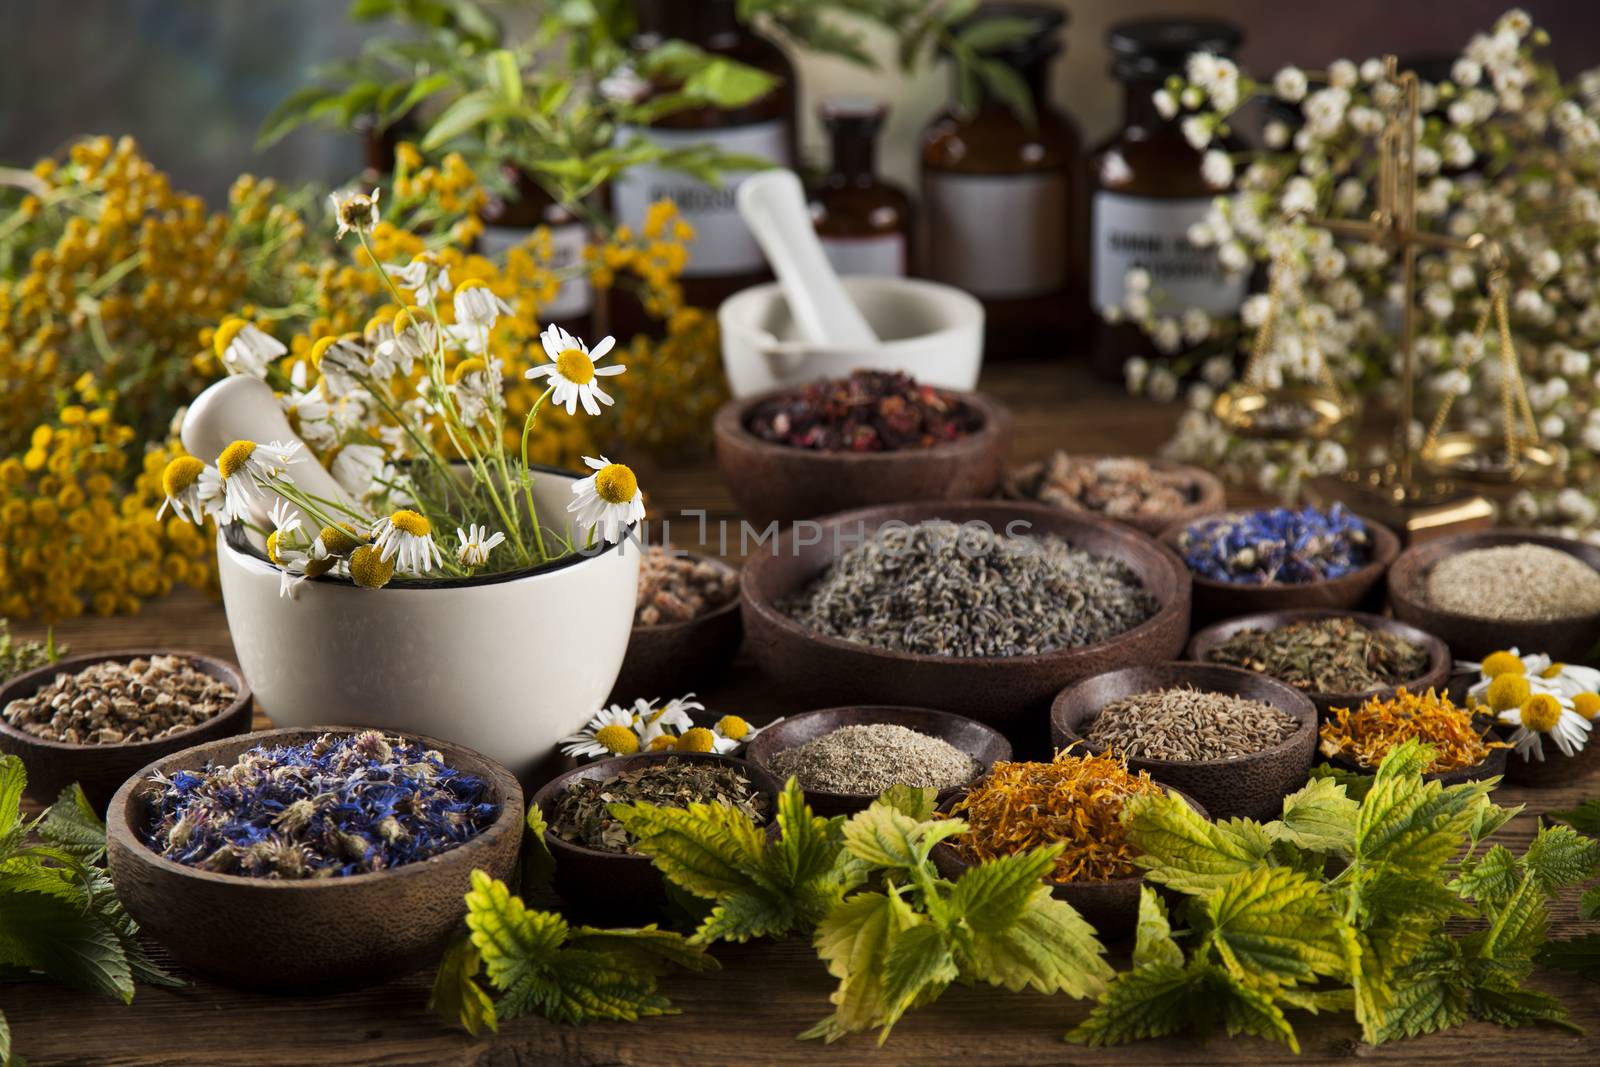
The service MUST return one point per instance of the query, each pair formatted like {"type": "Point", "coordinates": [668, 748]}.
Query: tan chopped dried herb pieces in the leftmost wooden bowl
{"type": "Point", "coordinates": [114, 703]}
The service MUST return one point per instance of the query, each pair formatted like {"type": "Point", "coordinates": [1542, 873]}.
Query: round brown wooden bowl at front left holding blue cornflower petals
{"type": "Point", "coordinates": [295, 937]}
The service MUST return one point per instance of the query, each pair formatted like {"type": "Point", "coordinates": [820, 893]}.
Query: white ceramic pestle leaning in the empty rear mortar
{"type": "Point", "coordinates": [774, 206]}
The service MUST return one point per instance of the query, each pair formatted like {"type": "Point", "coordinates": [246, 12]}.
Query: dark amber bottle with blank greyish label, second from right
{"type": "Point", "coordinates": [1001, 198]}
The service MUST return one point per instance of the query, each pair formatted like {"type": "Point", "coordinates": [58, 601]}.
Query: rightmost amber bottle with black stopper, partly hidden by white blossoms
{"type": "Point", "coordinates": [1146, 190]}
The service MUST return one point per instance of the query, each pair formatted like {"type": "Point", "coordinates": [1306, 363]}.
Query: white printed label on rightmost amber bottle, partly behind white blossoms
{"type": "Point", "coordinates": [1154, 234]}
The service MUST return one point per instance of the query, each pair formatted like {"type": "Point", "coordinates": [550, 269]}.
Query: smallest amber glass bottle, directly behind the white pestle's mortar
{"type": "Point", "coordinates": [865, 223]}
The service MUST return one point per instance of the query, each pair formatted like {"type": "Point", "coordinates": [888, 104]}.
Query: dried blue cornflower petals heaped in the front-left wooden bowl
{"type": "Point", "coordinates": [324, 809]}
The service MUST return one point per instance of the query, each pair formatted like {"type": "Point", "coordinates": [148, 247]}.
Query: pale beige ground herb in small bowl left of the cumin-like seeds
{"type": "Point", "coordinates": [868, 759]}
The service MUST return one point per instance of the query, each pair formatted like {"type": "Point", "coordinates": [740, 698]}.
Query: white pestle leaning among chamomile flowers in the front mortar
{"type": "Point", "coordinates": [246, 409]}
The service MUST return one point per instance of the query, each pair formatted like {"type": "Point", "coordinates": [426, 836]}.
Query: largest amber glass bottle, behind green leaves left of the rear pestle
{"type": "Point", "coordinates": [724, 257]}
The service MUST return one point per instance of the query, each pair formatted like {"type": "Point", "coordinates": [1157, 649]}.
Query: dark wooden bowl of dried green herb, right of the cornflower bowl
{"type": "Point", "coordinates": [598, 884]}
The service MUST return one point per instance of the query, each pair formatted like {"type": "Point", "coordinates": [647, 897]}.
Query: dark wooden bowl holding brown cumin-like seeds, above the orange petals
{"type": "Point", "coordinates": [1250, 786]}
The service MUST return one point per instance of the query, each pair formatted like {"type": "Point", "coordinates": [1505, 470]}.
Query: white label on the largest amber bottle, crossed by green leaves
{"type": "Point", "coordinates": [722, 244]}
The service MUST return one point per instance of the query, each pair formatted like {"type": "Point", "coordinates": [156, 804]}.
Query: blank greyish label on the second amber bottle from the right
{"type": "Point", "coordinates": [999, 236]}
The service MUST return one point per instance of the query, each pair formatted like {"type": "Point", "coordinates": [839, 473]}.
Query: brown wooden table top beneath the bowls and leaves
{"type": "Point", "coordinates": [764, 994]}
